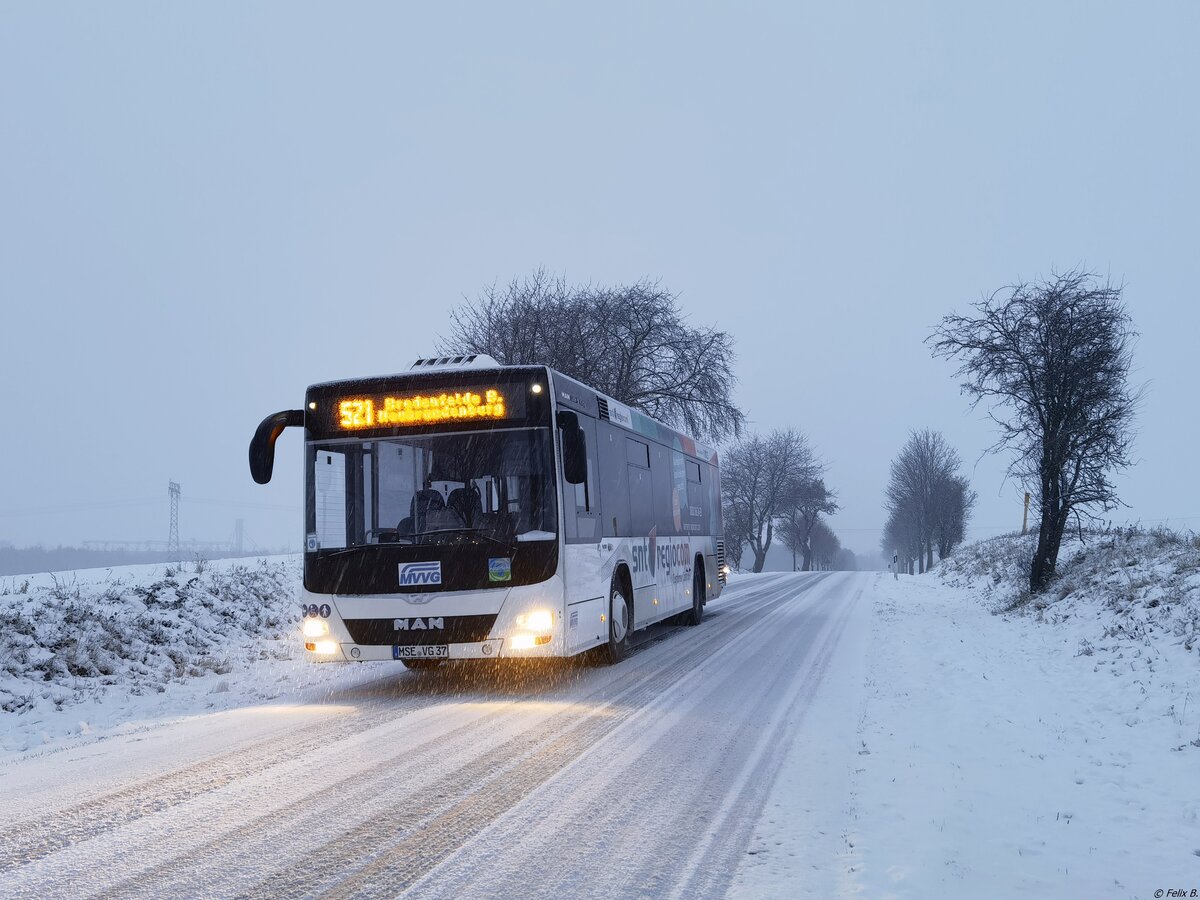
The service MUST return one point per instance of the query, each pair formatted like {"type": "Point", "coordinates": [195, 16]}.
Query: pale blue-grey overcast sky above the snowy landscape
{"type": "Point", "coordinates": [206, 209]}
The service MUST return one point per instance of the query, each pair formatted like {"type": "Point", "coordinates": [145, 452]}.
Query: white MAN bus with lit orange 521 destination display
{"type": "Point", "coordinates": [466, 511]}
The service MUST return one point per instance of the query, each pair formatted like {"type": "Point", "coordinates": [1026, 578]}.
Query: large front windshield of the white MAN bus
{"type": "Point", "coordinates": [481, 487]}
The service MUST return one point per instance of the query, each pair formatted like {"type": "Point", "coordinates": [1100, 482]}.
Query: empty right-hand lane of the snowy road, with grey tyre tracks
{"type": "Point", "coordinates": [701, 760]}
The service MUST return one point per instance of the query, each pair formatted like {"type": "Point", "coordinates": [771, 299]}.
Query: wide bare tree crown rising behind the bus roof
{"type": "Point", "coordinates": [633, 343]}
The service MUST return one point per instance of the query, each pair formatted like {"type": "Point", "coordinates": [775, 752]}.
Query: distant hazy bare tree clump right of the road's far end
{"type": "Point", "coordinates": [928, 502]}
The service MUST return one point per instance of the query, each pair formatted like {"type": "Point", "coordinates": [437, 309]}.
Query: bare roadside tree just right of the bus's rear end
{"type": "Point", "coordinates": [760, 478]}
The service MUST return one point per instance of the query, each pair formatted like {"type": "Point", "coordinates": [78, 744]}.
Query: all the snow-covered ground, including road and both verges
{"type": "Point", "coordinates": [817, 736]}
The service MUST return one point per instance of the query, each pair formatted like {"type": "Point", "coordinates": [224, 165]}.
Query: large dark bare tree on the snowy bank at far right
{"type": "Point", "coordinates": [1053, 359]}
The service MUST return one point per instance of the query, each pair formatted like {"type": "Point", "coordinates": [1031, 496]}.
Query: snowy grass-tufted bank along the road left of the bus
{"type": "Point", "coordinates": [88, 653]}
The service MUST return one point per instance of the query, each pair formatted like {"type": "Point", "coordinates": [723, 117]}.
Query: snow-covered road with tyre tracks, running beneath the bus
{"type": "Point", "coordinates": [644, 779]}
